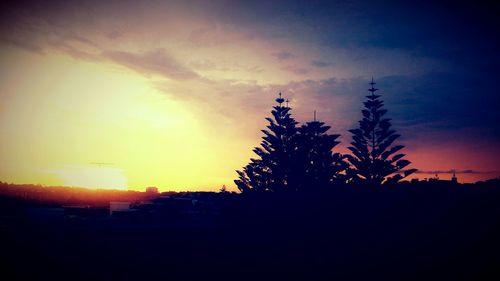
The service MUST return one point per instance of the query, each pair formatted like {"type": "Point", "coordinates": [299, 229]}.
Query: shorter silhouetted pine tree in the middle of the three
{"type": "Point", "coordinates": [322, 167]}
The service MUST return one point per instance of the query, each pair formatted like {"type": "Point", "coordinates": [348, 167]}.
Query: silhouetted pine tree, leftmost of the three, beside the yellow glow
{"type": "Point", "coordinates": [275, 168]}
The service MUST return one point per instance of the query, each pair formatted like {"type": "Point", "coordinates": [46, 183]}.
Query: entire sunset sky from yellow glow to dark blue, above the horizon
{"type": "Point", "coordinates": [173, 94]}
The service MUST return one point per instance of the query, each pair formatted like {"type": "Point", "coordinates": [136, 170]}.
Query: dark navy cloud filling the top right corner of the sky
{"type": "Point", "coordinates": [461, 33]}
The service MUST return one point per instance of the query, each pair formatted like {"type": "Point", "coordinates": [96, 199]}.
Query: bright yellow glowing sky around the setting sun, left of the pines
{"type": "Point", "coordinates": [61, 115]}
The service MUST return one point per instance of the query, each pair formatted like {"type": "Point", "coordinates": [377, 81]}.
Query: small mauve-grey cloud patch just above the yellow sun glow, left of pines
{"type": "Point", "coordinates": [157, 61]}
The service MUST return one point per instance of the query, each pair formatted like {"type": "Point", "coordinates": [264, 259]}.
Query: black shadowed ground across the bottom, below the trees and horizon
{"type": "Point", "coordinates": [402, 233]}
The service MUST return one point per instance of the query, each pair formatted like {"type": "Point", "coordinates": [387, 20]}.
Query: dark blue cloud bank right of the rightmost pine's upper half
{"type": "Point", "coordinates": [444, 102]}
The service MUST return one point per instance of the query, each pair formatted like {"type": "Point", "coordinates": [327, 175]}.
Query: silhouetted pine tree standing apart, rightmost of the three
{"type": "Point", "coordinates": [372, 146]}
